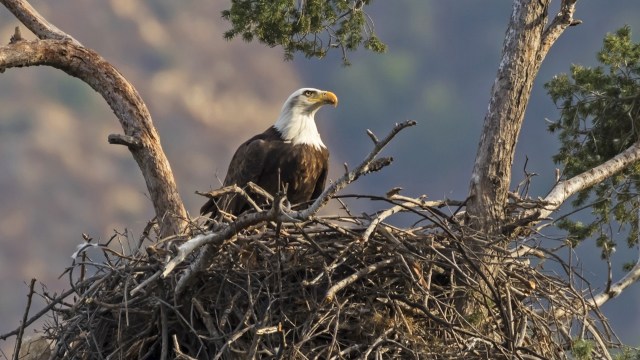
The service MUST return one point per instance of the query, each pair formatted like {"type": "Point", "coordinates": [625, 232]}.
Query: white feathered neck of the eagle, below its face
{"type": "Point", "coordinates": [298, 127]}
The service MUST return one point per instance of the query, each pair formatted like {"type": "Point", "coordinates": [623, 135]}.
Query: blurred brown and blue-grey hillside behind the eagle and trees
{"type": "Point", "coordinates": [59, 177]}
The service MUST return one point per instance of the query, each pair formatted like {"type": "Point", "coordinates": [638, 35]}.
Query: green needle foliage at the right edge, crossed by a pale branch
{"type": "Point", "coordinates": [599, 118]}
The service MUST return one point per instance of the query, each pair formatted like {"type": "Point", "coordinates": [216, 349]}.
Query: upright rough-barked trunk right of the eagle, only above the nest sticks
{"type": "Point", "coordinates": [526, 44]}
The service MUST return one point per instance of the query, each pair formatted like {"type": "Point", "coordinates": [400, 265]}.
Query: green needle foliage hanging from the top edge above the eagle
{"type": "Point", "coordinates": [311, 27]}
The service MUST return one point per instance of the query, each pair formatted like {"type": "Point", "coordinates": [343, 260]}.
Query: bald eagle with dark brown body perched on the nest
{"type": "Point", "coordinates": [288, 154]}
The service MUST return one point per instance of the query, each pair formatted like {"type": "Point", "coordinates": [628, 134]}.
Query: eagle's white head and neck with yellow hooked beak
{"type": "Point", "coordinates": [296, 122]}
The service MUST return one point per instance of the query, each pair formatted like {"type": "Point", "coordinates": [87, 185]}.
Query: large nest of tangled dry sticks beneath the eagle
{"type": "Point", "coordinates": [330, 288]}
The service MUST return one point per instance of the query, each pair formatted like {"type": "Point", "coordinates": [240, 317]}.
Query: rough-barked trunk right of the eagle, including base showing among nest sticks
{"type": "Point", "coordinates": [526, 44]}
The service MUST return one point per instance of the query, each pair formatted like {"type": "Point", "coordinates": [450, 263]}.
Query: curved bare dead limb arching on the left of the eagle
{"type": "Point", "coordinates": [61, 51]}
